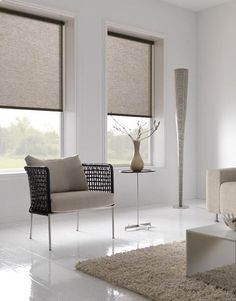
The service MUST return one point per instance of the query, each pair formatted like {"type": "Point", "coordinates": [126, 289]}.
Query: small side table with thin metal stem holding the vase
{"type": "Point", "coordinates": [137, 226]}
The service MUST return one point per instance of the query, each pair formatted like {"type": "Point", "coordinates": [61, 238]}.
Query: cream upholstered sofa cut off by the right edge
{"type": "Point", "coordinates": [221, 191]}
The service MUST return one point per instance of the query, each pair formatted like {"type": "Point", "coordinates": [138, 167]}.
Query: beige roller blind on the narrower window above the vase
{"type": "Point", "coordinates": [129, 75]}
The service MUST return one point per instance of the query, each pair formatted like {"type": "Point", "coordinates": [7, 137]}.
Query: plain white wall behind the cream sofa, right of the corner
{"type": "Point", "coordinates": [216, 100]}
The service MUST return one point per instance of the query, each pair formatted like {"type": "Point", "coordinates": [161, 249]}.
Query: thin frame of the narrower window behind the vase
{"type": "Point", "coordinates": [143, 39]}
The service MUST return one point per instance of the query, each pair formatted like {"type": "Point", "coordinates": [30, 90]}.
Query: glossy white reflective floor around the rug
{"type": "Point", "coordinates": [28, 271]}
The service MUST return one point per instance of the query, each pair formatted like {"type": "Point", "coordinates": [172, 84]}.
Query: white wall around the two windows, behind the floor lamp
{"type": "Point", "coordinates": [178, 27]}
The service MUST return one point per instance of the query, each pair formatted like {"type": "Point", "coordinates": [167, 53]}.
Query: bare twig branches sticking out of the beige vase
{"type": "Point", "coordinates": [141, 132]}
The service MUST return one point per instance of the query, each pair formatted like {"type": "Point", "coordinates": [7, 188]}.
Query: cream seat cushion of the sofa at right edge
{"type": "Point", "coordinates": [228, 197]}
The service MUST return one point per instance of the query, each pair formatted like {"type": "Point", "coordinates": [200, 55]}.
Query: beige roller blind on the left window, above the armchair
{"type": "Point", "coordinates": [30, 62]}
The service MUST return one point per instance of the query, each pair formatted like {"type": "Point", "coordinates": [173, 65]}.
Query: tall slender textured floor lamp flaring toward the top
{"type": "Point", "coordinates": [181, 90]}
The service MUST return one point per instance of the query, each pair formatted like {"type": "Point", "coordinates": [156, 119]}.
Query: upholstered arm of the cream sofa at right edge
{"type": "Point", "coordinates": [215, 178]}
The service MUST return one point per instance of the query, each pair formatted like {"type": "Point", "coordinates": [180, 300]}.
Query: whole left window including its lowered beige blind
{"type": "Point", "coordinates": [31, 81]}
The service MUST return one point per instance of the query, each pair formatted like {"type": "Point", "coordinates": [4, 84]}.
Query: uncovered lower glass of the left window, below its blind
{"type": "Point", "coordinates": [25, 132]}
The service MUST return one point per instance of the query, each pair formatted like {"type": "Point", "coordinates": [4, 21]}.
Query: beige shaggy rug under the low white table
{"type": "Point", "coordinates": [158, 273]}
